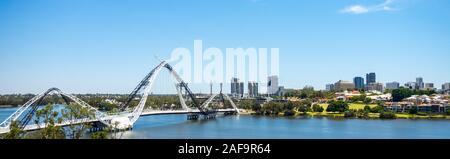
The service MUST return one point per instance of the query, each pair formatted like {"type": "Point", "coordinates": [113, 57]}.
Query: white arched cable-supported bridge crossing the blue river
{"type": "Point", "coordinates": [129, 113]}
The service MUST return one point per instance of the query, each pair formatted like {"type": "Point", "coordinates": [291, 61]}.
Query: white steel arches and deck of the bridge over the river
{"type": "Point", "coordinates": [126, 118]}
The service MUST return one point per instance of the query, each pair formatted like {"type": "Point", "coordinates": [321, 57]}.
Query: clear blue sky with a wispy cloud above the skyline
{"type": "Point", "coordinates": [107, 46]}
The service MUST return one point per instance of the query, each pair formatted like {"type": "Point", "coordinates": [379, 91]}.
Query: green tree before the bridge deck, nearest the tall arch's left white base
{"type": "Point", "coordinates": [75, 112]}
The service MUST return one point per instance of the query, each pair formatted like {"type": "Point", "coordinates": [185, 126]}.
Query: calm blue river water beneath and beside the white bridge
{"type": "Point", "coordinates": [254, 127]}
